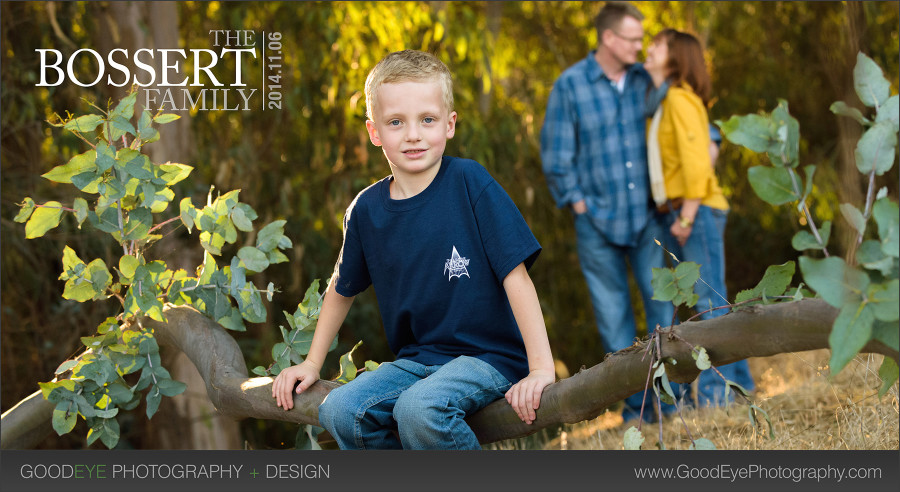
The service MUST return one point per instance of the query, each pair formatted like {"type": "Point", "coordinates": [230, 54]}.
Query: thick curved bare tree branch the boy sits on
{"type": "Point", "coordinates": [755, 332]}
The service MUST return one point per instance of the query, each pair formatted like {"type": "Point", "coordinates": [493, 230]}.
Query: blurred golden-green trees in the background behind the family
{"type": "Point", "coordinates": [307, 161]}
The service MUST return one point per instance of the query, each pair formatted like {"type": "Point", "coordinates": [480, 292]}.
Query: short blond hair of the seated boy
{"type": "Point", "coordinates": [408, 66]}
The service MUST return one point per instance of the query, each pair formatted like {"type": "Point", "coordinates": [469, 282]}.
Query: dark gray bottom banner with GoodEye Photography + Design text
{"type": "Point", "coordinates": [397, 471]}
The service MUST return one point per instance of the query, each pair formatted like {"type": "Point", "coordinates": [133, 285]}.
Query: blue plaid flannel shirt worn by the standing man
{"type": "Point", "coordinates": [594, 147]}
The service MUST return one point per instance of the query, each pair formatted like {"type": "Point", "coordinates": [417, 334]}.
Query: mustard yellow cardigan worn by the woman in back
{"type": "Point", "coordinates": [684, 149]}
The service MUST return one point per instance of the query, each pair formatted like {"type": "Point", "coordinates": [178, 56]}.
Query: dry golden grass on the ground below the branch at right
{"type": "Point", "coordinates": [807, 410]}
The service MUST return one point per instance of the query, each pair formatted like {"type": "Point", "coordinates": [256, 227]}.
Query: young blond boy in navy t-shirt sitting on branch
{"type": "Point", "coordinates": [447, 252]}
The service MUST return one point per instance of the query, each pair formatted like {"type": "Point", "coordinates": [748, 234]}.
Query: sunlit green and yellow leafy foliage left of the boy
{"type": "Point", "coordinates": [128, 189]}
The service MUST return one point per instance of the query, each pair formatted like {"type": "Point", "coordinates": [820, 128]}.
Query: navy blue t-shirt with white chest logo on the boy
{"type": "Point", "coordinates": [437, 262]}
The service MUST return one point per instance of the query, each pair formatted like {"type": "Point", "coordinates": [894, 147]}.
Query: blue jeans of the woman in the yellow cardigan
{"type": "Point", "coordinates": [706, 247]}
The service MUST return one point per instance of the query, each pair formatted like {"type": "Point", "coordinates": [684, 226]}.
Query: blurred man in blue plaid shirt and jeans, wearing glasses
{"type": "Point", "coordinates": [594, 153]}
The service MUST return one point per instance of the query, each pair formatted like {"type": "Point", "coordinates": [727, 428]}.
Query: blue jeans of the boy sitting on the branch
{"type": "Point", "coordinates": [407, 405]}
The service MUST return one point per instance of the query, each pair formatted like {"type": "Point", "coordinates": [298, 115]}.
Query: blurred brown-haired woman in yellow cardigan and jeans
{"type": "Point", "coordinates": [694, 207]}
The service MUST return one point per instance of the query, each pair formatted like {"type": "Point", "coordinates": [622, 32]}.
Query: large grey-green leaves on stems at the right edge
{"type": "Point", "coordinates": [864, 287]}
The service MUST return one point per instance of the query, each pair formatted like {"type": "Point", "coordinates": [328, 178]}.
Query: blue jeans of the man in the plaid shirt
{"type": "Point", "coordinates": [604, 268]}
